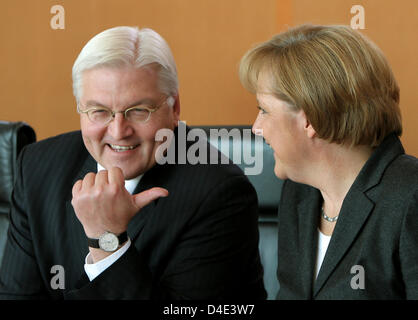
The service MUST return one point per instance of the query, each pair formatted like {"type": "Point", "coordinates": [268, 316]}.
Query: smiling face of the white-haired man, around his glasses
{"type": "Point", "coordinates": [122, 143]}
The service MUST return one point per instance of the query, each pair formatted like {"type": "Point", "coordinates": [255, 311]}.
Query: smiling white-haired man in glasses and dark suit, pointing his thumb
{"type": "Point", "coordinates": [94, 215]}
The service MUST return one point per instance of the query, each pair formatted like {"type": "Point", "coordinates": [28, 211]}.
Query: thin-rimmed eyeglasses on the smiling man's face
{"type": "Point", "coordinates": [139, 114]}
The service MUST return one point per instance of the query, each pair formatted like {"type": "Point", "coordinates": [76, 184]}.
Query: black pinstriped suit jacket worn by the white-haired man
{"type": "Point", "coordinates": [201, 242]}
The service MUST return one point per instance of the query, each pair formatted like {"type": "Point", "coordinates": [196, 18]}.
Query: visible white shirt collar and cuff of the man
{"type": "Point", "coordinates": [94, 269]}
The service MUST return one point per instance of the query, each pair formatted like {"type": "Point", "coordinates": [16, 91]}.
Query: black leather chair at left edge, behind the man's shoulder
{"type": "Point", "coordinates": [13, 137]}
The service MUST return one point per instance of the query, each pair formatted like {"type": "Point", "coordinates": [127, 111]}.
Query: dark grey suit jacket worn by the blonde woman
{"type": "Point", "coordinates": [377, 229]}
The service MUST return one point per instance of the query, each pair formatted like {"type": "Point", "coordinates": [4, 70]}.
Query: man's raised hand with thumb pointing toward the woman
{"type": "Point", "coordinates": [102, 203]}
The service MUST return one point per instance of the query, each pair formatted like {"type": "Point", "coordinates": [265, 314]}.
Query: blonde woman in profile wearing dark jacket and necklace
{"type": "Point", "coordinates": [348, 217]}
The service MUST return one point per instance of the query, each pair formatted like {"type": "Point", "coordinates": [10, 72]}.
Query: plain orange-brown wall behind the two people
{"type": "Point", "coordinates": [207, 37]}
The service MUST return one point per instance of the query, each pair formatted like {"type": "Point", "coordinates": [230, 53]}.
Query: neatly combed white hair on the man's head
{"type": "Point", "coordinates": [127, 46]}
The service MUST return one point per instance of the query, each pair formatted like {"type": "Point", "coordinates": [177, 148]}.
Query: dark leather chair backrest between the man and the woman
{"type": "Point", "coordinates": [256, 159]}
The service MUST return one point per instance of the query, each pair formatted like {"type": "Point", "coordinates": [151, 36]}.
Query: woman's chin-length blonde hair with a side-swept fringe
{"type": "Point", "coordinates": [338, 77]}
